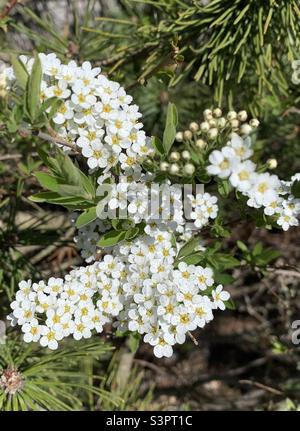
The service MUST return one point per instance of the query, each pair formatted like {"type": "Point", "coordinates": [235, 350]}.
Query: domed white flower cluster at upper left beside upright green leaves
{"type": "Point", "coordinates": [96, 114]}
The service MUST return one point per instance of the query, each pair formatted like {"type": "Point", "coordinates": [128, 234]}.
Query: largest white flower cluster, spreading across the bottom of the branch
{"type": "Point", "coordinates": [136, 287]}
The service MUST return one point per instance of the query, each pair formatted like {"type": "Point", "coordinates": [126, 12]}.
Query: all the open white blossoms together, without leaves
{"type": "Point", "coordinates": [139, 286]}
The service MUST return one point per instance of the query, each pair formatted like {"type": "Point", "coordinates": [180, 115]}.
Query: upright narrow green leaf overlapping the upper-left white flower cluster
{"type": "Point", "coordinates": [34, 88]}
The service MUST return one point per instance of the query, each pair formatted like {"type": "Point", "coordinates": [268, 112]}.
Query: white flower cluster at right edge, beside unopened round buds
{"type": "Point", "coordinates": [262, 189]}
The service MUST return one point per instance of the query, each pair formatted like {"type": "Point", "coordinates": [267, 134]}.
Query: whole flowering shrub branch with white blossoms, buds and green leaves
{"type": "Point", "coordinates": [149, 273]}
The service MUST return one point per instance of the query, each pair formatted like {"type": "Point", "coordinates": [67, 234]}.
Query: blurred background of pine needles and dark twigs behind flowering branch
{"type": "Point", "coordinates": [198, 54]}
